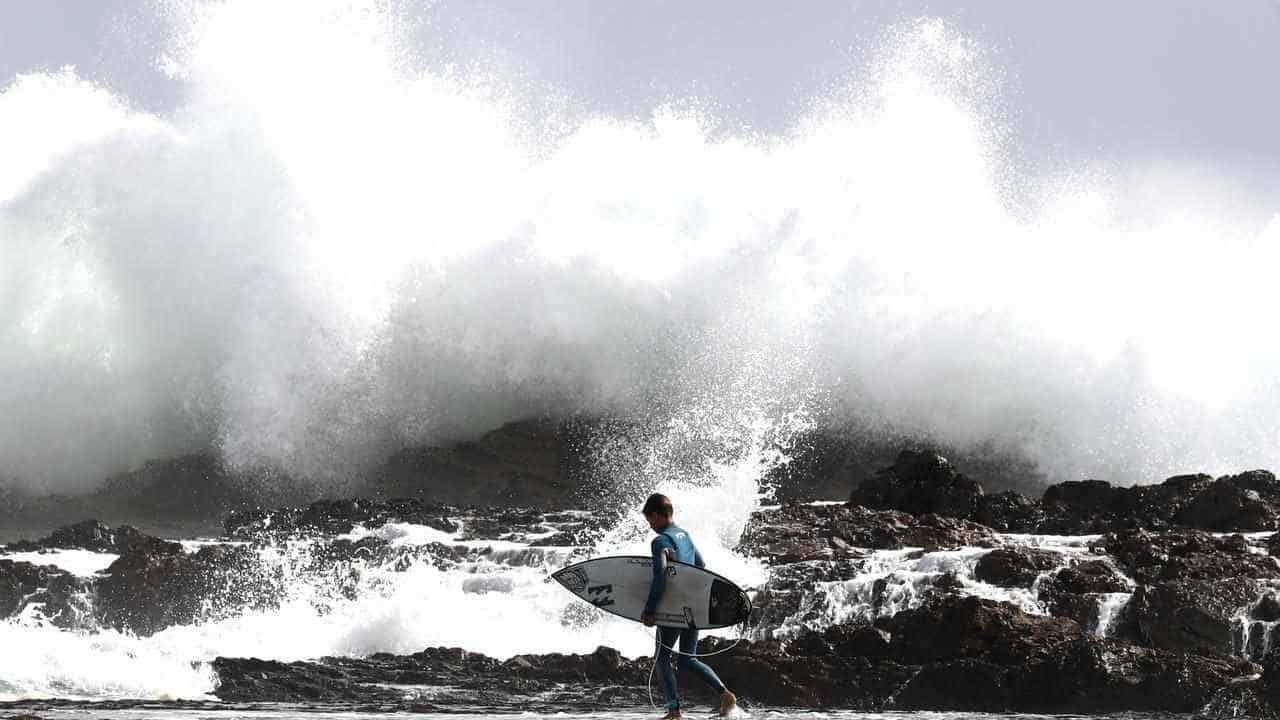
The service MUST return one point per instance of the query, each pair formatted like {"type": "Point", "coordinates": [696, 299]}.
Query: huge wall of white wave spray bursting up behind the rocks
{"type": "Point", "coordinates": [324, 254]}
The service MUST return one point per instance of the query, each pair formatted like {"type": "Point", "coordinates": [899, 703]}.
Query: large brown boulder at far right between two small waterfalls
{"type": "Point", "coordinates": [1194, 616]}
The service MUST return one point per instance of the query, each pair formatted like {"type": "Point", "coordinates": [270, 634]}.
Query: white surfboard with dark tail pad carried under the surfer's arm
{"type": "Point", "coordinates": [696, 598]}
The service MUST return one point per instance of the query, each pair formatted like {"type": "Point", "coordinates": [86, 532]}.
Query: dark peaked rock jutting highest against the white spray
{"type": "Point", "coordinates": [920, 484]}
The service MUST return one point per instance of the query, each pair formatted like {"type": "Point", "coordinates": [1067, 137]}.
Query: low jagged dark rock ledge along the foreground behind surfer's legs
{"type": "Point", "coordinates": [952, 654]}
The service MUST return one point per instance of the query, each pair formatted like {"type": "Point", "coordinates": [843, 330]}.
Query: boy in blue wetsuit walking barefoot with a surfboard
{"type": "Point", "coordinates": [675, 544]}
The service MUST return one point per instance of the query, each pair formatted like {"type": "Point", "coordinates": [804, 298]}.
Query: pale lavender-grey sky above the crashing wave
{"type": "Point", "coordinates": [1186, 79]}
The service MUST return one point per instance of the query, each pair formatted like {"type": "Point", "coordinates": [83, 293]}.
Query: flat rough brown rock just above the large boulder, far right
{"type": "Point", "coordinates": [1174, 555]}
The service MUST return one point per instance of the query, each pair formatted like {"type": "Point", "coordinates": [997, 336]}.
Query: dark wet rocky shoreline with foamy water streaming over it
{"type": "Point", "coordinates": [1164, 601]}
